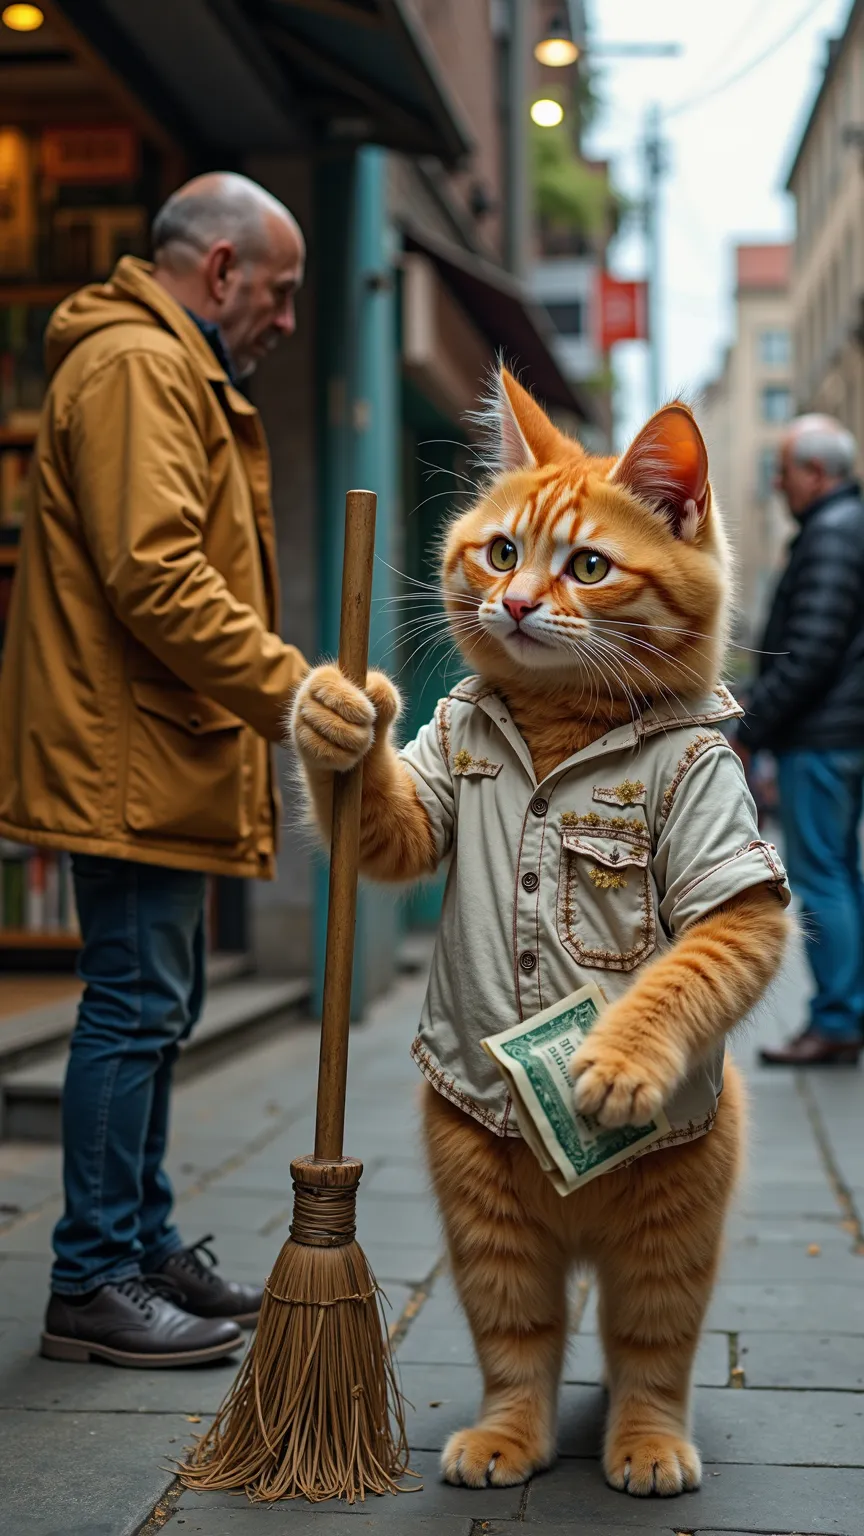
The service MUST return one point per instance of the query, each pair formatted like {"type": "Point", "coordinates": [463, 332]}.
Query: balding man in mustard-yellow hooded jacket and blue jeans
{"type": "Point", "coordinates": [144, 681]}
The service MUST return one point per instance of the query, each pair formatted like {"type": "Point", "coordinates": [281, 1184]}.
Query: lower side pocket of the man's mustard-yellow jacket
{"type": "Point", "coordinates": [185, 769]}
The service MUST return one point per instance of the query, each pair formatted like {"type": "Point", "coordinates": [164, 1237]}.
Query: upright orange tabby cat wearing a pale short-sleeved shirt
{"type": "Point", "coordinates": [599, 829]}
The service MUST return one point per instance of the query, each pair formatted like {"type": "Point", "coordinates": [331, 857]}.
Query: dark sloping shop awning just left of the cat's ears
{"type": "Point", "coordinates": [508, 317]}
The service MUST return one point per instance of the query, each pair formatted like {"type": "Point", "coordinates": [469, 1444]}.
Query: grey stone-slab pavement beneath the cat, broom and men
{"type": "Point", "coordinates": [780, 1397]}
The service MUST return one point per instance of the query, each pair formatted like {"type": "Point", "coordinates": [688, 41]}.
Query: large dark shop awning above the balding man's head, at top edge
{"type": "Point", "coordinates": [242, 76]}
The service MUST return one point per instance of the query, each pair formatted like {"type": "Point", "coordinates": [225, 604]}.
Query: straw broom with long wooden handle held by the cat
{"type": "Point", "coordinates": [311, 1409]}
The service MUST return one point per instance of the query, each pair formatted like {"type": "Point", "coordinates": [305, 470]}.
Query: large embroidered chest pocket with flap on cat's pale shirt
{"type": "Point", "coordinates": [606, 916]}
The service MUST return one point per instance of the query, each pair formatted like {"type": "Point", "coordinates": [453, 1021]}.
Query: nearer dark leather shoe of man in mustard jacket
{"type": "Point", "coordinates": [135, 1323]}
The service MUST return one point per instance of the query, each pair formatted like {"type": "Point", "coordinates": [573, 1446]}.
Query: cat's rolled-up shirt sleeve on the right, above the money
{"type": "Point", "coordinates": [709, 847]}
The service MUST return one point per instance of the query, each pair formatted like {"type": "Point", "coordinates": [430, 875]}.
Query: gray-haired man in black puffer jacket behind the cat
{"type": "Point", "coordinates": [808, 707]}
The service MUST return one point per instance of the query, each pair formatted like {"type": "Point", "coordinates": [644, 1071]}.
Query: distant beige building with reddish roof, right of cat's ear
{"type": "Point", "coordinates": [743, 415]}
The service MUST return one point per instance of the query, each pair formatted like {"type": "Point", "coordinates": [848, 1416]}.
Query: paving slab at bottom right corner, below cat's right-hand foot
{"type": "Point", "coordinates": [754, 1500]}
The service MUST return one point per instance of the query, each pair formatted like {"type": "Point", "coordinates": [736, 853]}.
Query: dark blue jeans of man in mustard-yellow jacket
{"type": "Point", "coordinates": [144, 970]}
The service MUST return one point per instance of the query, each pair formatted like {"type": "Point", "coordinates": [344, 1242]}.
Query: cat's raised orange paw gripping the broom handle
{"type": "Point", "coordinates": [333, 723]}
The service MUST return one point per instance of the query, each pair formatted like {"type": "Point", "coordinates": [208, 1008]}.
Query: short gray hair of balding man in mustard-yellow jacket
{"type": "Point", "coordinates": [216, 207]}
